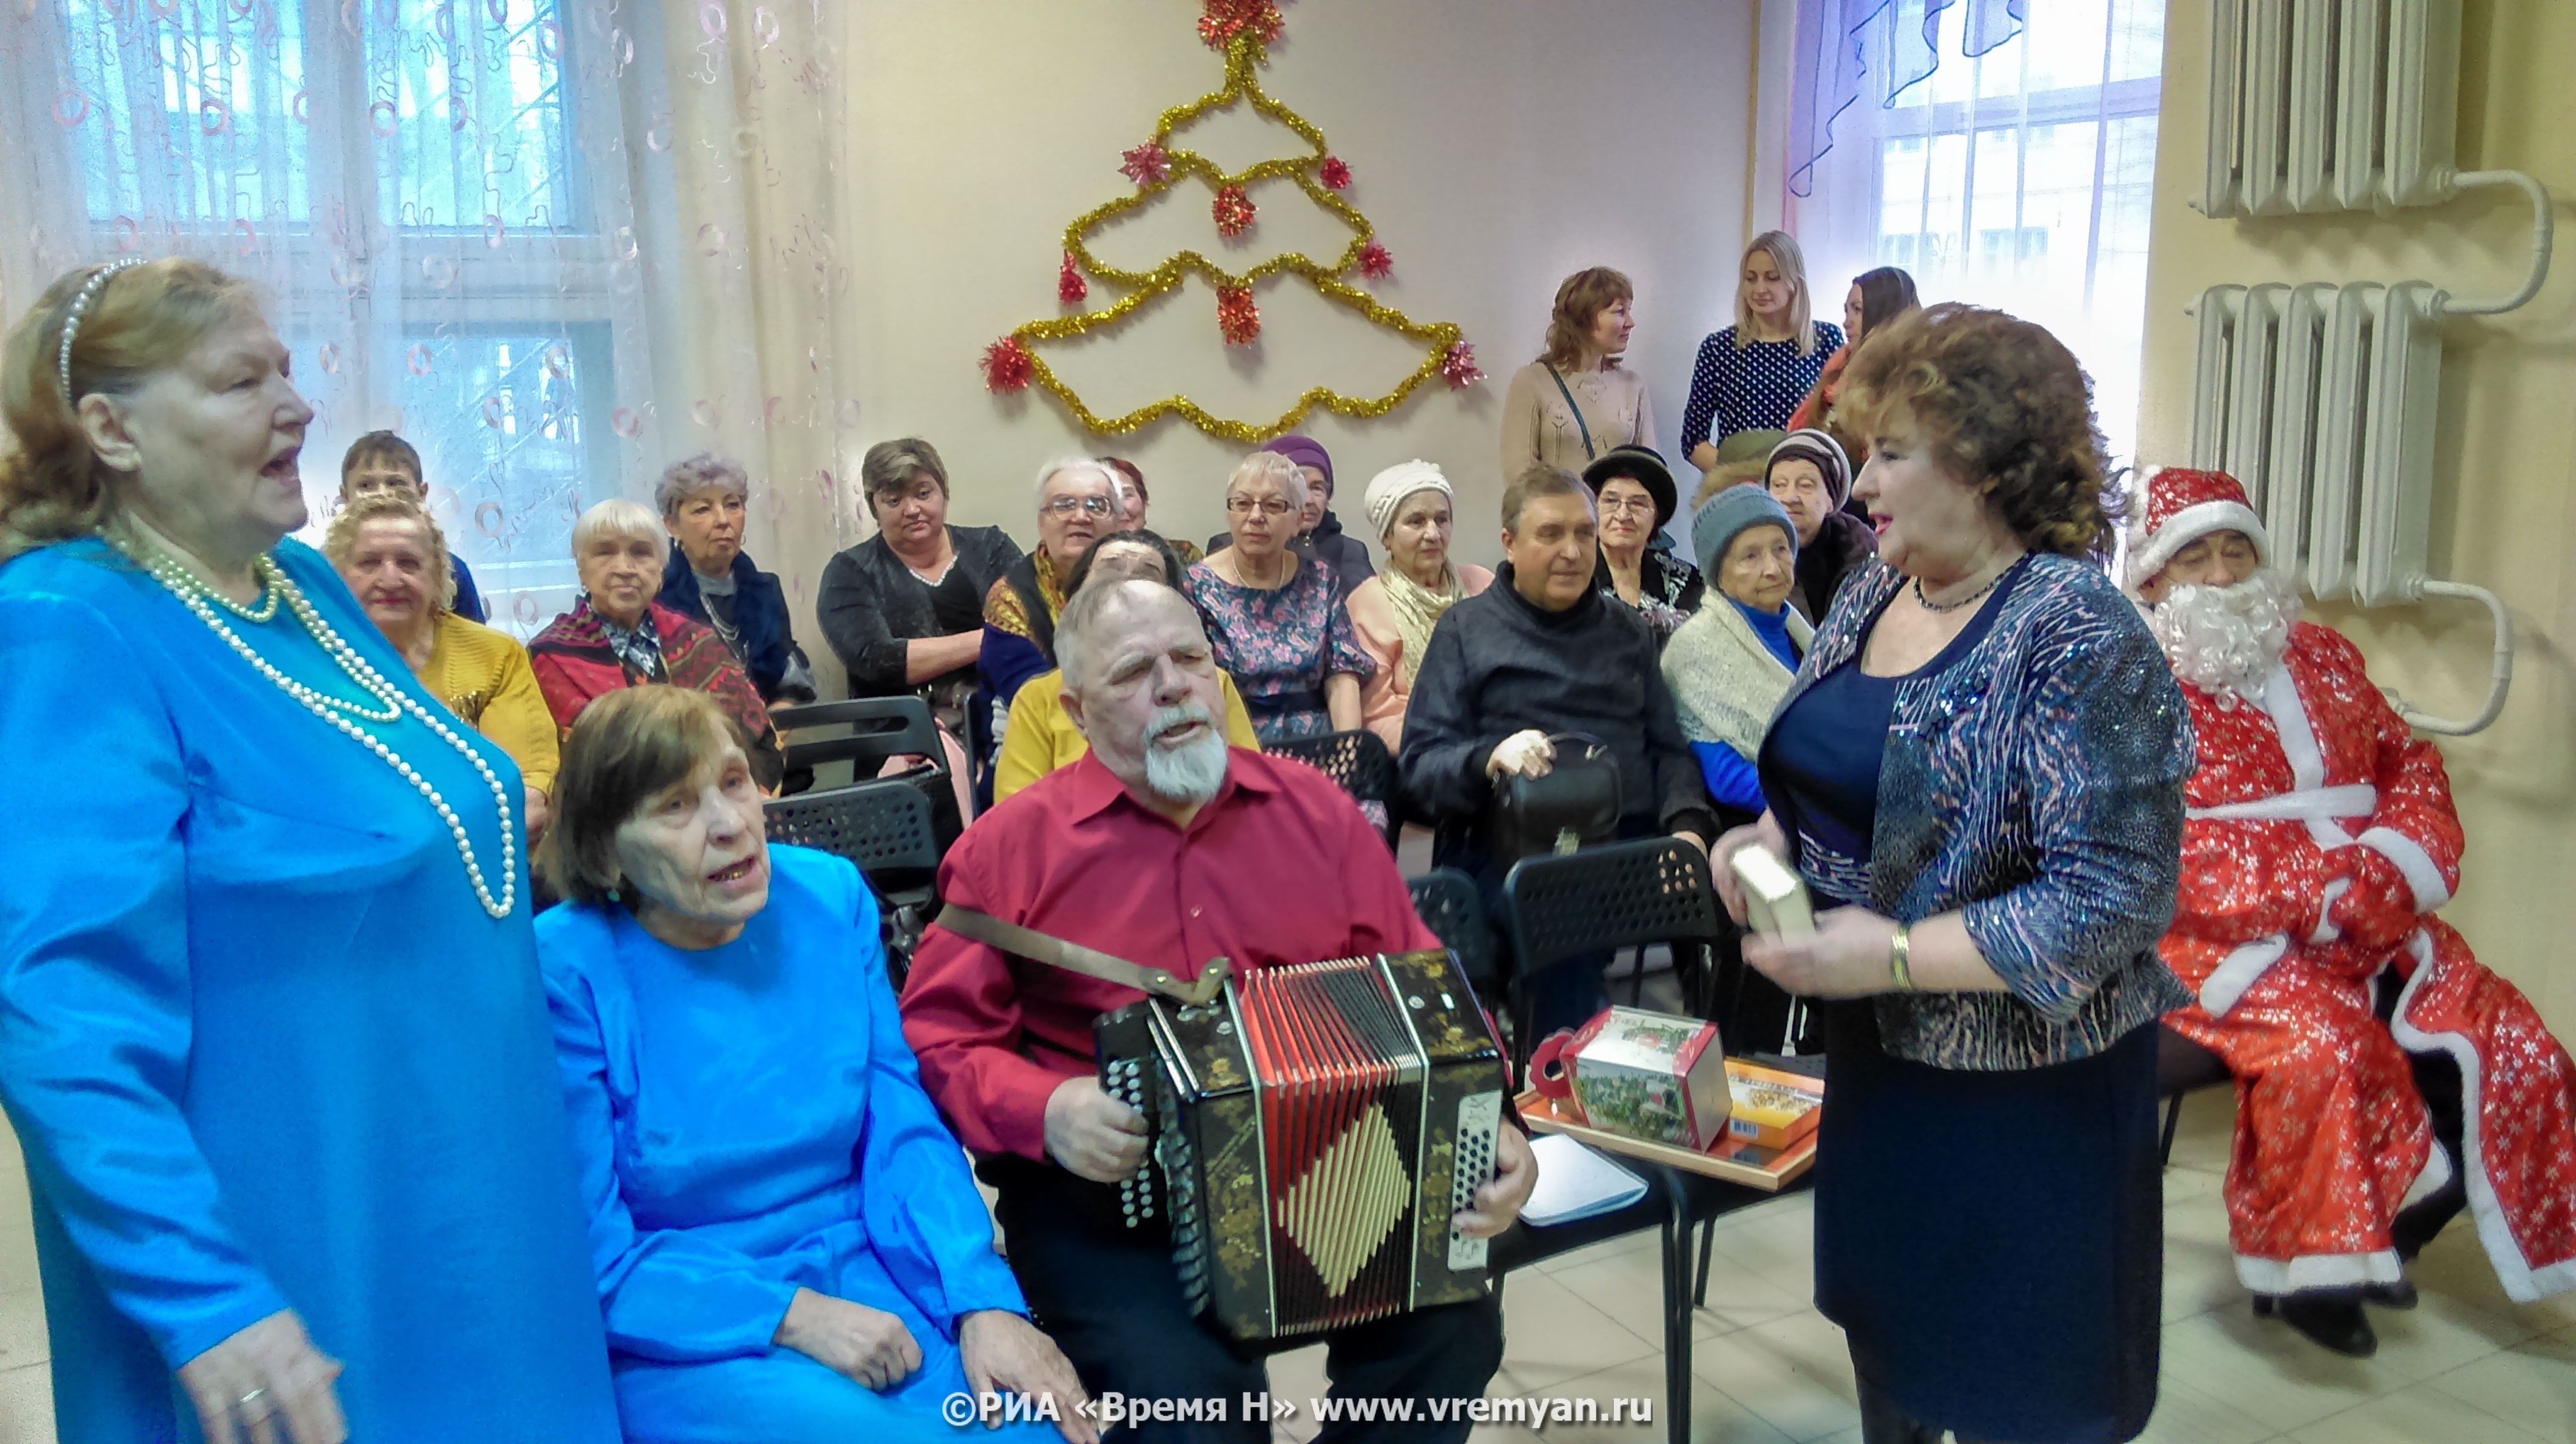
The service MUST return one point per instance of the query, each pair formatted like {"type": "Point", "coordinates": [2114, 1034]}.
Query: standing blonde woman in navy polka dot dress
{"type": "Point", "coordinates": [1756, 372]}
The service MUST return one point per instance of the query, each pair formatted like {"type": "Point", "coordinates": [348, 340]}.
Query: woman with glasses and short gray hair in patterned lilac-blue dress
{"type": "Point", "coordinates": [1274, 616]}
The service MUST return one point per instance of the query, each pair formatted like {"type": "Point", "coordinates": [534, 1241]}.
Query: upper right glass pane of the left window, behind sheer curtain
{"type": "Point", "coordinates": [468, 104]}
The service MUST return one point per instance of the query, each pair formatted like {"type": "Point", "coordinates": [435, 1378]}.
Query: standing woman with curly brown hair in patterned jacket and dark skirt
{"type": "Point", "coordinates": [1980, 766]}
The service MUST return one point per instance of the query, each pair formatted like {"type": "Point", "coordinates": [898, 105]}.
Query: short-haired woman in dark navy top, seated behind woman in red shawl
{"type": "Point", "coordinates": [712, 580]}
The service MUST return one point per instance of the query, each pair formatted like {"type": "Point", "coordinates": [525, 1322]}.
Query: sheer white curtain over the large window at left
{"type": "Point", "coordinates": [529, 236]}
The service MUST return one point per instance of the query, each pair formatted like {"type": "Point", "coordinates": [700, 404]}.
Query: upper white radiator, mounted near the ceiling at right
{"type": "Point", "coordinates": [2330, 104]}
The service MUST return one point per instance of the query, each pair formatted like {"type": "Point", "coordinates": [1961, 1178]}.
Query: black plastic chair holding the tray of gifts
{"type": "Point", "coordinates": [1598, 900]}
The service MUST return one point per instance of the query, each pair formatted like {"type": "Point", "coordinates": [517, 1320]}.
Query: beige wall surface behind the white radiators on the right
{"type": "Point", "coordinates": [2505, 506]}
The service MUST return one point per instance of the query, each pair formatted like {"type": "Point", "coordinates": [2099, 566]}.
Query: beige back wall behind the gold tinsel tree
{"type": "Point", "coordinates": [1498, 148]}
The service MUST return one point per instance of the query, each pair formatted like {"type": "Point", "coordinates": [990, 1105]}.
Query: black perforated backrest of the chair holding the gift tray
{"type": "Point", "coordinates": [1624, 894]}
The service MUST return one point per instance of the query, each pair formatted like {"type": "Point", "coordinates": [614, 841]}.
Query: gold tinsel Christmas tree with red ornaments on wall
{"type": "Point", "coordinates": [1243, 30]}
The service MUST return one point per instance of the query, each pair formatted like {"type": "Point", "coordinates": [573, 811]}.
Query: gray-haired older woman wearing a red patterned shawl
{"type": "Point", "coordinates": [620, 637]}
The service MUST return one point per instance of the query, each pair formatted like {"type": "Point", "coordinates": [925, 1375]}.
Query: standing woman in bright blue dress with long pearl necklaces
{"type": "Point", "coordinates": [272, 1028]}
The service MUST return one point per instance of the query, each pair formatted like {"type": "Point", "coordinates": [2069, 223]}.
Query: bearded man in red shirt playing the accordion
{"type": "Point", "coordinates": [1163, 848]}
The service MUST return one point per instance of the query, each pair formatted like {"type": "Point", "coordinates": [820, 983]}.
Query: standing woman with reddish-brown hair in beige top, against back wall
{"type": "Point", "coordinates": [1578, 403]}
